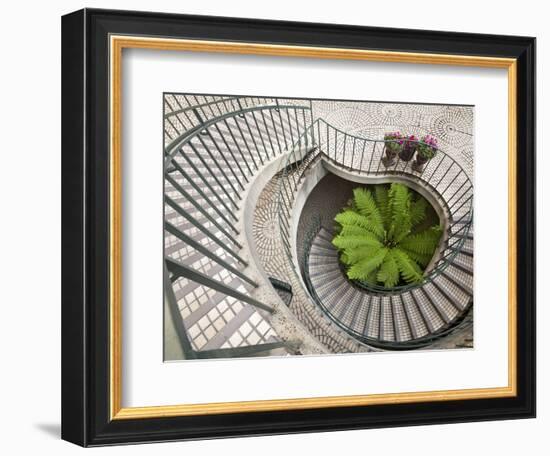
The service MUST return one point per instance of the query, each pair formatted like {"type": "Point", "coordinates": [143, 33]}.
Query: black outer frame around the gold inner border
{"type": "Point", "coordinates": [85, 227]}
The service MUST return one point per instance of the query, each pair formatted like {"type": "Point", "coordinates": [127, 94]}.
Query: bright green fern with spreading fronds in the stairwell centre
{"type": "Point", "coordinates": [380, 236]}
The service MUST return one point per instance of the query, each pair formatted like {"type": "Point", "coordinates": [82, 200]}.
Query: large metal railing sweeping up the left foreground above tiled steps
{"type": "Point", "coordinates": [213, 149]}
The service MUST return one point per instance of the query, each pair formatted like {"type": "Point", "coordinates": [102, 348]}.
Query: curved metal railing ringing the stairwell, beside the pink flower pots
{"type": "Point", "coordinates": [442, 176]}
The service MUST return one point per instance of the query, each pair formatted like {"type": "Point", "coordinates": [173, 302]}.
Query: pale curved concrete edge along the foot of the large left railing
{"type": "Point", "coordinates": [284, 322]}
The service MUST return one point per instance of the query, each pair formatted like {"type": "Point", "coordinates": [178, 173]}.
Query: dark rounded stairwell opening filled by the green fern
{"type": "Point", "coordinates": [385, 235]}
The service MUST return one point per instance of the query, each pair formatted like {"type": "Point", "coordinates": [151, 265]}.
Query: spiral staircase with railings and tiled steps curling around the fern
{"type": "Point", "coordinates": [246, 276]}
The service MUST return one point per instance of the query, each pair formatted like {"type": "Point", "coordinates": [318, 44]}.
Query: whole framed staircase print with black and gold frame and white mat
{"type": "Point", "coordinates": [278, 227]}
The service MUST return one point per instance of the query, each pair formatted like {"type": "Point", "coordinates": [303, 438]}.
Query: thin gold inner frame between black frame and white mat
{"type": "Point", "coordinates": [117, 44]}
